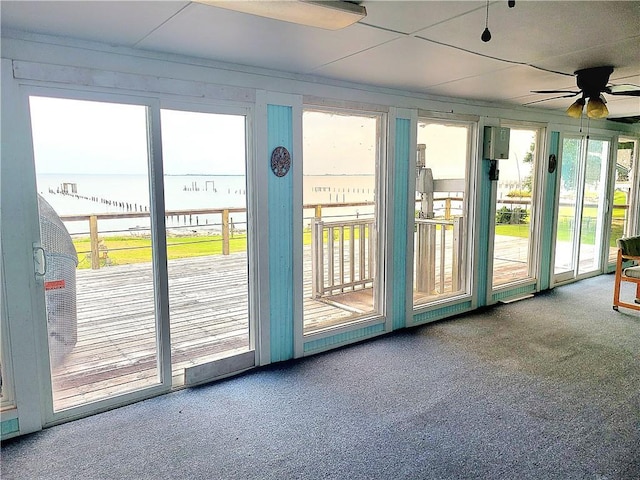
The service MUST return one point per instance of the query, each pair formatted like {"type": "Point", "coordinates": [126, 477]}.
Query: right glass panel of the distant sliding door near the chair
{"type": "Point", "coordinates": [593, 205]}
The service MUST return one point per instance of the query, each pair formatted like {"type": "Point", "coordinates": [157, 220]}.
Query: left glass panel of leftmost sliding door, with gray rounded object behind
{"type": "Point", "coordinates": [91, 162]}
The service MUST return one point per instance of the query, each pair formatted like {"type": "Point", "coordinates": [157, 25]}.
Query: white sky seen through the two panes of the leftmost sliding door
{"type": "Point", "coordinates": [73, 136]}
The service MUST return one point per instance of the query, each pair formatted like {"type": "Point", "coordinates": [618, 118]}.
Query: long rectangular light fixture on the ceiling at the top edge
{"type": "Point", "coordinates": [330, 15]}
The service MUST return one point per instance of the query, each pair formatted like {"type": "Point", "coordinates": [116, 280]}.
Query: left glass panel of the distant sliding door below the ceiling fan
{"type": "Point", "coordinates": [565, 248]}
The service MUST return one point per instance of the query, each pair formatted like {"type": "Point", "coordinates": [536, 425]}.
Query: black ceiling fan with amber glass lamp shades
{"type": "Point", "coordinates": [592, 83]}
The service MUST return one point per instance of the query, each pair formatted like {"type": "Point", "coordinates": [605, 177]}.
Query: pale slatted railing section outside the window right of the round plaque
{"type": "Point", "coordinates": [343, 256]}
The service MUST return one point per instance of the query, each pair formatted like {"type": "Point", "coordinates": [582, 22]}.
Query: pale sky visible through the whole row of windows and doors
{"type": "Point", "coordinates": [82, 137]}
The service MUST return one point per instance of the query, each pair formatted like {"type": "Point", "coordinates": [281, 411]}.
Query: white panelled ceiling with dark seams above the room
{"type": "Point", "coordinates": [431, 47]}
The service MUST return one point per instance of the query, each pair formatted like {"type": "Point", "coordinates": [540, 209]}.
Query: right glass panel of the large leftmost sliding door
{"type": "Point", "coordinates": [206, 222]}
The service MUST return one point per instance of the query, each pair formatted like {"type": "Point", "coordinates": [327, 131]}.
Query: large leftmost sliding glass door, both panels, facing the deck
{"type": "Point", "coordinates": [144, 263]}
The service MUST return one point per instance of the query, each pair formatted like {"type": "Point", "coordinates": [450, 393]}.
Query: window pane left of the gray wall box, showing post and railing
{"type": "Point", "coordinates": [441, 206]}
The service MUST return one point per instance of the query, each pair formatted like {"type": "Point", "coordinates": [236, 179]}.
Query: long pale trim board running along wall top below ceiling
{"type": "Point", "coordinates": [29, 47]}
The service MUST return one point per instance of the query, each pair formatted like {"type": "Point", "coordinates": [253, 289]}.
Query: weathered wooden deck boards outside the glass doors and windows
{"type": "Point", "coordinates": [116, 347]}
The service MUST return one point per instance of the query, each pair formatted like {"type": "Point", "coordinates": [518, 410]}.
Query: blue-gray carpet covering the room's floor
{"type": "Point", "coordinates": [545, 388]}
